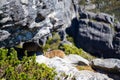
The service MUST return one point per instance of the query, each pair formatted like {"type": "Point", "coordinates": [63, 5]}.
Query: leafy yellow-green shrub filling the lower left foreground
{"type": "Point", "coordinates": [11, 68]}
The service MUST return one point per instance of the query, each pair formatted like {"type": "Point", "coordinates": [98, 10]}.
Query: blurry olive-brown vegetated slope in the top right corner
{"type": "Point", "coordinates": [108, 6]}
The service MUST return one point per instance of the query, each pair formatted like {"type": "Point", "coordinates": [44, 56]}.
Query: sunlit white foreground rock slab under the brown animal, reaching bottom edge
{"type": "Point", "coordinates": [67, 71]}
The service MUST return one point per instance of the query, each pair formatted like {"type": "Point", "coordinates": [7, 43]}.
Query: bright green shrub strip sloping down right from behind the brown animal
{"type": "Point", "coordinates": [71, 49]}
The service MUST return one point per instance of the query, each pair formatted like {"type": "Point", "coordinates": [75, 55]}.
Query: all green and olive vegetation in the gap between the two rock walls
{"type": "Point", "coordinates": [54, 43]}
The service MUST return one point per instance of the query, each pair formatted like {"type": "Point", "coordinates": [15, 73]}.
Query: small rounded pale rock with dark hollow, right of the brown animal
{"type": "Point", "coordinates": [76, 59]}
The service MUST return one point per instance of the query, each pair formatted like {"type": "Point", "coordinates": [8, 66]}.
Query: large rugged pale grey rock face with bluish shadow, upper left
{"type": "Point", "coordinates": [24, 20]}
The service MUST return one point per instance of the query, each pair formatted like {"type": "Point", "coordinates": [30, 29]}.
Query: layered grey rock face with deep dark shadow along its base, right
{"type": "Point", "coordinates": [96, 34]}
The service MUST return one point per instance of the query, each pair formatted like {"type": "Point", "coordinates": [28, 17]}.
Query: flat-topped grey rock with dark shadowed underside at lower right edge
{"type": "Point", "coordinates": [110, 66]}
